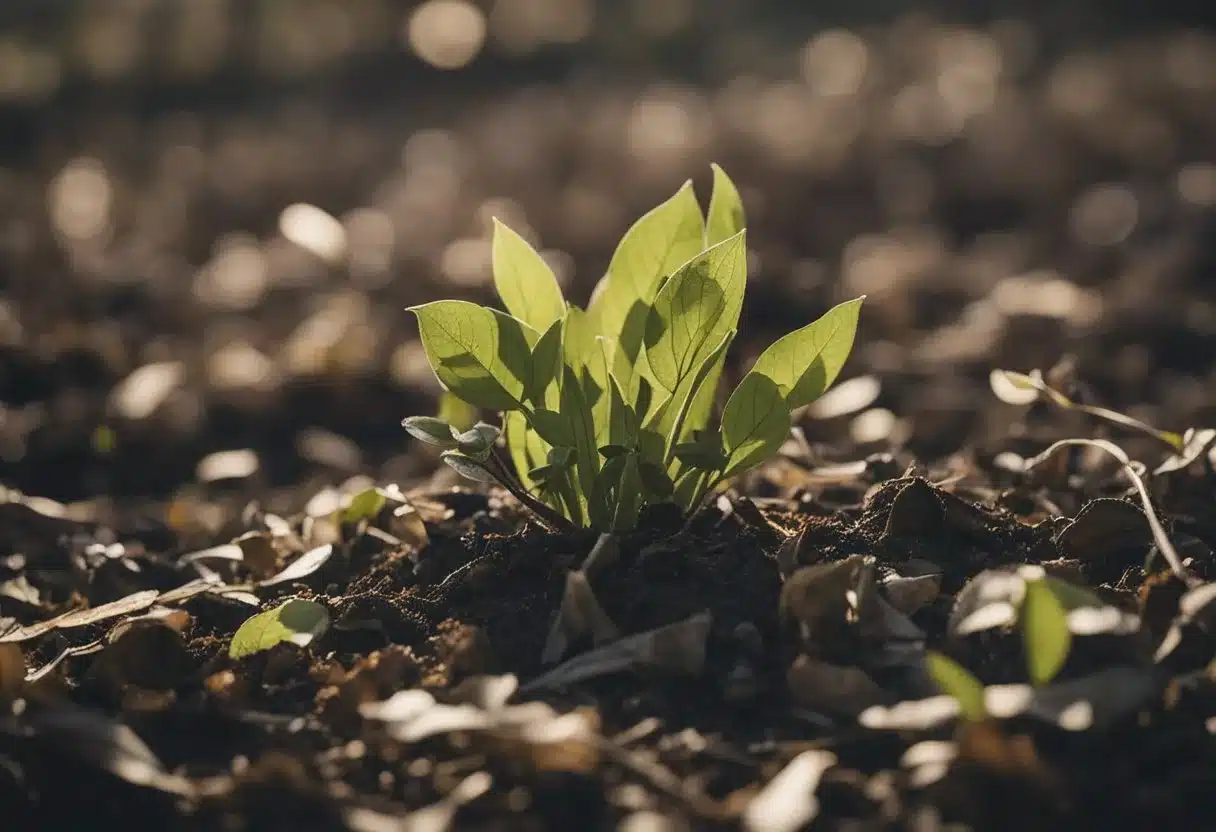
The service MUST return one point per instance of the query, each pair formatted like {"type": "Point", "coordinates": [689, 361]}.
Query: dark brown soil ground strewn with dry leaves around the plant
{"type": "Point", "coordinates": [1067, 224]}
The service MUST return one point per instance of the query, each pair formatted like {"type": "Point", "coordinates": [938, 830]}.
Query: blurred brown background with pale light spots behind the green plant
{"type": "Point", "coordinates": [213, 212]}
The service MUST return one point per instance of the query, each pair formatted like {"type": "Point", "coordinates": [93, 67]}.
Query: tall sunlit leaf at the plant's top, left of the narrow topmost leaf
{"type": "Point", "coordinates": [655, 246]}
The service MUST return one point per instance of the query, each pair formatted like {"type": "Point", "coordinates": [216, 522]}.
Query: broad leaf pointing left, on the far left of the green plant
{"type": "Point", "coordinates": [480, 355]}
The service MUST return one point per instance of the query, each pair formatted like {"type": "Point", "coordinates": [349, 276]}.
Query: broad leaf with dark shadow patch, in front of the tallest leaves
{"type": "Point", "coordinates": [696, 308]}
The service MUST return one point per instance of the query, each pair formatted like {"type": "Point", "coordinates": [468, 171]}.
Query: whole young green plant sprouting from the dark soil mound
{"type": "Point", "coordinates": [609, 409]}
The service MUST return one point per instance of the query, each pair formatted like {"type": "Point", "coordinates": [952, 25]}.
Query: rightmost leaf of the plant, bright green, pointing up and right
{"type": "Point", "coordinates": [804, 363]}
